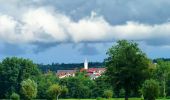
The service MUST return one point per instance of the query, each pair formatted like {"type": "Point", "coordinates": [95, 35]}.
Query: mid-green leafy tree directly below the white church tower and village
{"type": "Point", "coordinates": [80, 86]}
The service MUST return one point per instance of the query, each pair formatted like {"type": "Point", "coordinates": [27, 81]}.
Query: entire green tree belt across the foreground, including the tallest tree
{"type": "Point", "coordinates": [129, 74]}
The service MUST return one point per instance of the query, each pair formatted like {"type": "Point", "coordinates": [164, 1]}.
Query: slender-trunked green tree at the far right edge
{"type": "Point", "coordinates": [162, 74]}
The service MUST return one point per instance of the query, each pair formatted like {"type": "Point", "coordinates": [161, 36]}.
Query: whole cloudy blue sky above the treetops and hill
{"type": "Point", "coordinates": [69, 31]}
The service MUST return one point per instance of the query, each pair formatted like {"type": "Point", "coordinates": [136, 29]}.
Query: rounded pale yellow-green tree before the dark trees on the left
{"type": "Point", "coordinates": [29, 89]}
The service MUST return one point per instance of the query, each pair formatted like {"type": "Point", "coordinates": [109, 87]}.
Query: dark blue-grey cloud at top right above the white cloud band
{"type": "Point", "coordinates": [115, 11]}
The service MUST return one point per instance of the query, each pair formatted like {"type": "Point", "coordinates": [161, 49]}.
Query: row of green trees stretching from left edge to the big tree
{"type": "Point", "coordinates": [21, 78]}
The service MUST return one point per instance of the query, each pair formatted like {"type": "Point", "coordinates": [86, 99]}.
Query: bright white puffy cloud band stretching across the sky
{"type": "Point", "coordinates": [47, 26]}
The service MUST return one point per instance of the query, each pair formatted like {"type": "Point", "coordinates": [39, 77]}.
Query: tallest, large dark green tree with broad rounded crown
{"type": "Point", "coordinates": [127, 66]}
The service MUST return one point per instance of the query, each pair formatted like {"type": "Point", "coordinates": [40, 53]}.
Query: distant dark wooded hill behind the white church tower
{"type": "Point", "coordinates": [63, 66]}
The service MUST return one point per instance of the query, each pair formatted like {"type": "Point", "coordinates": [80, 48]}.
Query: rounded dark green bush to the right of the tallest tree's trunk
{"type": "Point", "coordinates": [150, 89]}
